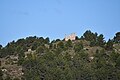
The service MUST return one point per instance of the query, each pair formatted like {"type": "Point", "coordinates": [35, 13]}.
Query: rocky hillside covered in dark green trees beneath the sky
{"type": "Point", "coordinates": [88, 57]}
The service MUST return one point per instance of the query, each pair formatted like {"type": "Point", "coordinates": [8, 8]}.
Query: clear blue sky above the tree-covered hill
{"type": "Point", "coordinates": [55, 18]}
